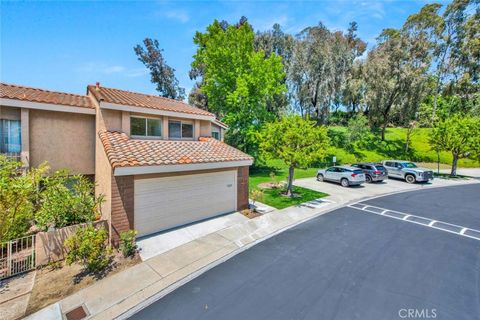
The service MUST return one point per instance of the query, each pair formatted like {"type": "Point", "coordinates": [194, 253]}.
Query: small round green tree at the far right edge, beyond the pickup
{"type": "Point", "coordinates": [459, 135]}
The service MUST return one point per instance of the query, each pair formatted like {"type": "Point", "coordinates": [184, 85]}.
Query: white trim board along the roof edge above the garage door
{"type": "Point", "coordinates": [127, 171]}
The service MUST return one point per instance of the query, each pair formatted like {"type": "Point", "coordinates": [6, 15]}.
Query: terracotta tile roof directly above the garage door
{"type": "Point", "coordinates": [125, 152]}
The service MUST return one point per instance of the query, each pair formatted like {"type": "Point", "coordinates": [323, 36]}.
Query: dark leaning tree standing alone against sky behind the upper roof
{"type": "Point", "coordinates": [150, 54]}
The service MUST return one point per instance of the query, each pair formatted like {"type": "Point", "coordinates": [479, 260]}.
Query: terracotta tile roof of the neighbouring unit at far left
{"type": "Point", "coordinates": [11, 91]}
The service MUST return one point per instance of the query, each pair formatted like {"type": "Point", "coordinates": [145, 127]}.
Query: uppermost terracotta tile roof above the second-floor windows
{"type": "Point", "coordinates": [143, 100]}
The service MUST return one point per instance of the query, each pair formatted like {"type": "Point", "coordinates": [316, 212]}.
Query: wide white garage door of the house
{"type": "Point", "coordinates": [164, 203]}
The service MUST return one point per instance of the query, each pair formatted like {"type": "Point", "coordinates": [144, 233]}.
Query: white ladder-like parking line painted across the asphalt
{"type": "Point", "coordinates": [404, 217]}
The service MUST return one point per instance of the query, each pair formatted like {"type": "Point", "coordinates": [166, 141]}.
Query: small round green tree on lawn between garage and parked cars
{"type": "Point", "coordinates": [296, 141]}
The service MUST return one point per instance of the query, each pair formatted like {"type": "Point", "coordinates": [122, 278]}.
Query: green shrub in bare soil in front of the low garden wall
{"type": "Point", "coordinates": [88, 246]}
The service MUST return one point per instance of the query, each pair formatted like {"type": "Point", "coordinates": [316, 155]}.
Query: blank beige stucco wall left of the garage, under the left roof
{"type": "Point", "coordinates": [63, 139]}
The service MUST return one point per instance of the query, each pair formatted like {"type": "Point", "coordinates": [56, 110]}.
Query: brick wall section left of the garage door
{"type": "Point", "coordinates": [122, 207]}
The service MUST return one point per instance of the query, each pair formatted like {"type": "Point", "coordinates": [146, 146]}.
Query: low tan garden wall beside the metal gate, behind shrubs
{"type": "Point", "coordinates": [49, 245]}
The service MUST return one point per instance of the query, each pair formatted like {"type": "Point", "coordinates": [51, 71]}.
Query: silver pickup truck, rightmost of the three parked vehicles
{"type": "Point", "coordinates": [407, 171]}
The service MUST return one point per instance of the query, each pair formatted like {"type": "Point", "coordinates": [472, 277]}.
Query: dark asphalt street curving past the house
{"type": "Point", "coordinates": [348, 264]}
